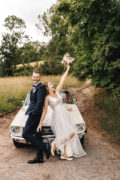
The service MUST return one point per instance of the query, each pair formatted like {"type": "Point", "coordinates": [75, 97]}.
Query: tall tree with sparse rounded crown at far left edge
{"type": "Point", "coordinates": [10, 44]}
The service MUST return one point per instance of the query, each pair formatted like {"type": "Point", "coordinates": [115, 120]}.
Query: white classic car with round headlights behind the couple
{"type": "Point", "coordinates": [19, 121]}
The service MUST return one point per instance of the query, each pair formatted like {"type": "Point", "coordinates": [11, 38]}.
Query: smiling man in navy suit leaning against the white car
{"type": "Point", "coordinates": [37, 96]}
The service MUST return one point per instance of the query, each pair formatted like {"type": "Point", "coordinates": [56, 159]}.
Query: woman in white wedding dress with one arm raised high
{"type": "Point", "coordinates": [66, 138]}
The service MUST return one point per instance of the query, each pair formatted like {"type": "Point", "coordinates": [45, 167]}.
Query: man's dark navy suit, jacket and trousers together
{"type": "Point", "coordinates": [37, 97]}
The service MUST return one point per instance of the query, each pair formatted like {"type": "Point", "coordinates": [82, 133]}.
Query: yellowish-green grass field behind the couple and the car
{"type": "Point", "coordinates": [14, 89]}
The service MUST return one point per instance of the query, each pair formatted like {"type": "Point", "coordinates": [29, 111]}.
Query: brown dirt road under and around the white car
{"type": "Point", "coordinates": [102, 161]}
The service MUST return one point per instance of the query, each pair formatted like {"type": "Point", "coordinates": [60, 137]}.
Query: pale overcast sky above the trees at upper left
{"type": "Point", "coordinates": [28, 10]}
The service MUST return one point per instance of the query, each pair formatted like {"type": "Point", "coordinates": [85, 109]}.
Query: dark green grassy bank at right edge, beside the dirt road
{"type": "Point", "coordinates": [109, 115]}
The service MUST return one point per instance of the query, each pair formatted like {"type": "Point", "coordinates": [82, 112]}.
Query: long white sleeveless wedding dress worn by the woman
{"type": "Point", "coordinates": [63, 127]}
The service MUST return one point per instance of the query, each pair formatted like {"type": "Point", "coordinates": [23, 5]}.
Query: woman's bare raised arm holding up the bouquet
{"type": "Point", "coordinates": [61, 83]}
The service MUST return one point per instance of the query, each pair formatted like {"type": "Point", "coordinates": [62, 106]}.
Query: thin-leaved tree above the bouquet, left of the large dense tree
{"type": "Point", "coordinates": [53, 24]}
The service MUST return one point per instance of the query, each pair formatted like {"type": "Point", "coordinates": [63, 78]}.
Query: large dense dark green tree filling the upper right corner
{"type": "Point", "coordinates": [99, 34]}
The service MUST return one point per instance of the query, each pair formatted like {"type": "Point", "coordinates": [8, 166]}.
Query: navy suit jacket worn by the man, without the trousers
{"type": "Point", "coordinates": [37, 96]}
